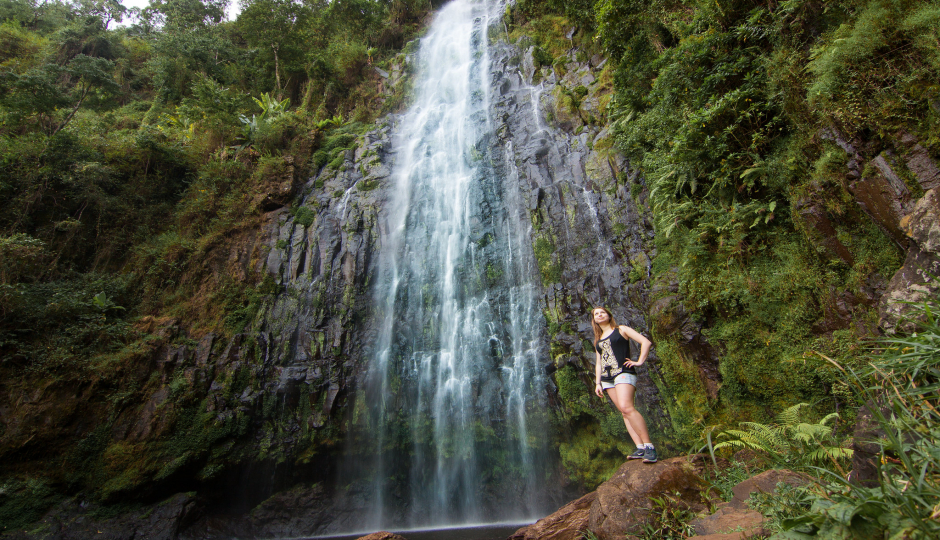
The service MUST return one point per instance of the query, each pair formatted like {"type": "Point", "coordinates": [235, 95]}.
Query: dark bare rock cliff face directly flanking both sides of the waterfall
{"type": "Point", "coordinates": [243, 418]}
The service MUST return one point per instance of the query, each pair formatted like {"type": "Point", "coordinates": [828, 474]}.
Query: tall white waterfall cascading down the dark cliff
{"type": "Point", "coordinates": [451, 420]}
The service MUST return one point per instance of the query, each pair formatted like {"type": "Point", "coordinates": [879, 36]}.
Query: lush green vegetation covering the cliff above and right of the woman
{"type": "Point", "coordinates": [725, 107]}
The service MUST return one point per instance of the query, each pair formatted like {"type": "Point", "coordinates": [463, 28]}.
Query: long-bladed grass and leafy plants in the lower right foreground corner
{"type": "Point", "coordinates": [900, 385]}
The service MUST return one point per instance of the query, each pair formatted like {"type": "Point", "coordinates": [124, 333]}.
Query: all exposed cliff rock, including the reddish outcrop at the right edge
{"type": "Point", "coordinates": [265, 414]}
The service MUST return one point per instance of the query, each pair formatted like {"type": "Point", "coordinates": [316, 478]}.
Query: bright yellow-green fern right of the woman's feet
{"type": "Point", "coordinates": [793, 441]}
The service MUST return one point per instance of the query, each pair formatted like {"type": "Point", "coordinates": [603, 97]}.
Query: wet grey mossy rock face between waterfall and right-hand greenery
{"type": "Point", "coordinates": [591, 238]}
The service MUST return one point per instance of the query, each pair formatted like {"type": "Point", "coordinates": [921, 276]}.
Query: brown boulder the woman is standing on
{"type": "Point", "coordinates": [623, 503]}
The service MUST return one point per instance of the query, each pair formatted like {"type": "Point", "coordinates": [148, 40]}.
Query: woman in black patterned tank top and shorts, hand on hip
{"type": "Point", "coordinates": [615, 372]}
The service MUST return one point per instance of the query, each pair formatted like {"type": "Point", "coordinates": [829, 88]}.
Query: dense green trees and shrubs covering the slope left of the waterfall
{"type": "Point", "coordinates": [133, 160]}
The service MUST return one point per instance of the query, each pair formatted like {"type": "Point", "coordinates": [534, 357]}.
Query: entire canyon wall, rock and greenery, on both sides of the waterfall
{"type": "Point", "coordinates": [186, 295]}
